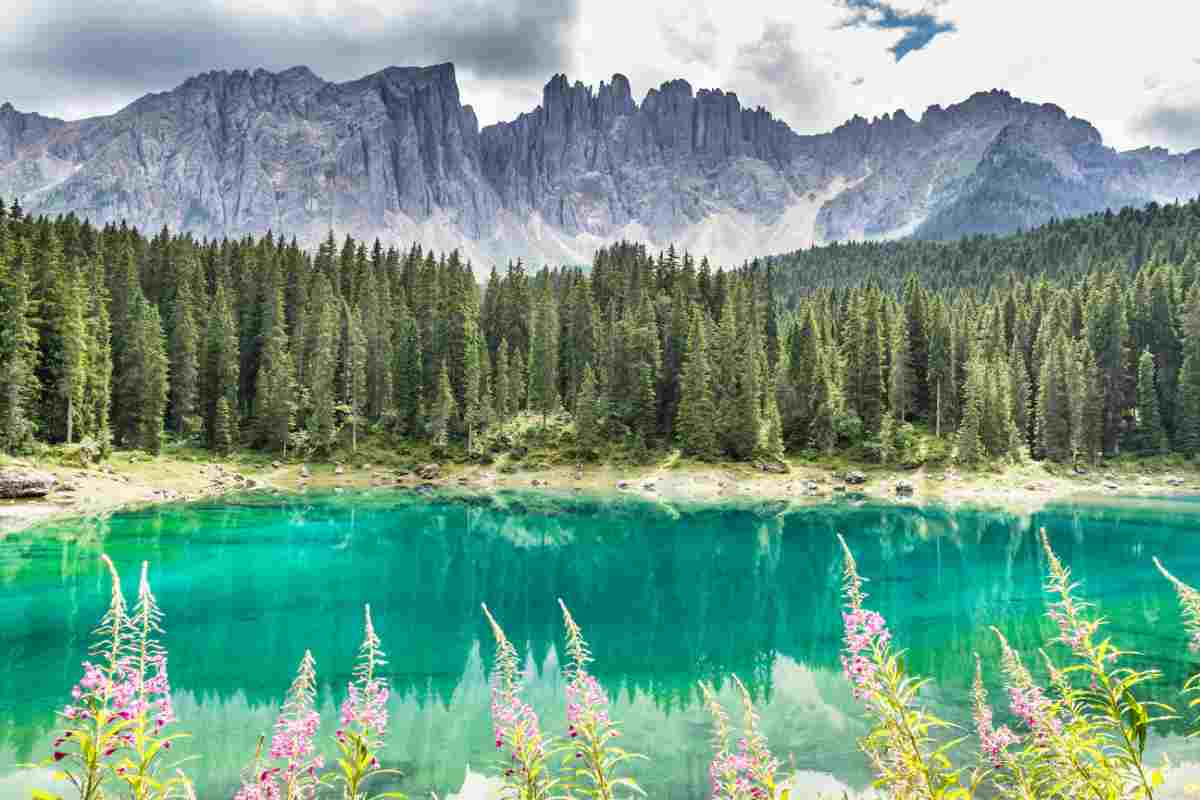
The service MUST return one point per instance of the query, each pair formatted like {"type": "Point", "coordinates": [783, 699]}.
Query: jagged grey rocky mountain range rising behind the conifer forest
{"type": "Point", "coordinates": [398, 155]}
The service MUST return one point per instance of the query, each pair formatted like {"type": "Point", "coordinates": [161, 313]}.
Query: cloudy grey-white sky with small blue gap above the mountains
{"type": "Point", "coordinates": [1132, 70]}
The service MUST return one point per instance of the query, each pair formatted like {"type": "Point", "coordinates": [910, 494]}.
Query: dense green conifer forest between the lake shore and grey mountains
{"type": "Point", "coordinates": [117, 339]}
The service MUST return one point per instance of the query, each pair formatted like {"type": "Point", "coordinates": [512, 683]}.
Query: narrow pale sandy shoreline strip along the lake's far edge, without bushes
{"type": "Point", "coordinates": [123, 485]}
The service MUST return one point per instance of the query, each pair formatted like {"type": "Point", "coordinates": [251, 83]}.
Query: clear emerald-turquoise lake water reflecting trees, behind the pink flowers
{"type": "Point", "coordinates": [665, 597]}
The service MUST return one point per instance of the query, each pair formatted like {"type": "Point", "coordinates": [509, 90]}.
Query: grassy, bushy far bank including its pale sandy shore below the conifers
{"type": "Point", "coordinates": [535, 455]}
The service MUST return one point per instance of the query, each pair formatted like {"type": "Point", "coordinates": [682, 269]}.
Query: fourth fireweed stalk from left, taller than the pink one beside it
{"type": "Point", "coordinates": [364, 721]}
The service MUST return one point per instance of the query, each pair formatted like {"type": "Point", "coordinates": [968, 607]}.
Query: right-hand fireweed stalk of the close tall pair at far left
{"type": "Point", "coordinates": [141, 769]}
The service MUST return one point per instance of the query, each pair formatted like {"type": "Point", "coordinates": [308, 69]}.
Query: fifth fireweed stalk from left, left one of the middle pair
{"type": "Point", "coordinates": [519, 732]}
